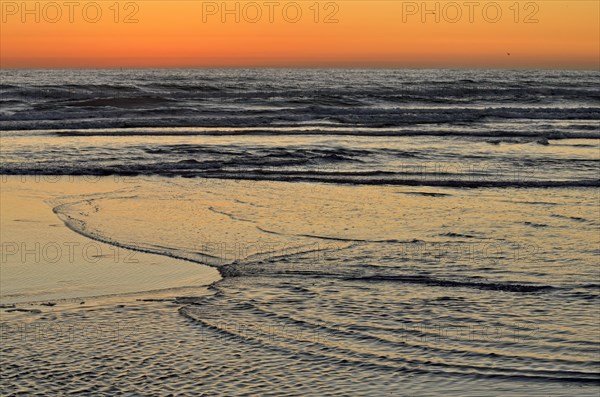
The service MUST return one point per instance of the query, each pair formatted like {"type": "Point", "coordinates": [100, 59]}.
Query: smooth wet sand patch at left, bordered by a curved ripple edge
{"type": "Point", "coordinates": [44, 259]}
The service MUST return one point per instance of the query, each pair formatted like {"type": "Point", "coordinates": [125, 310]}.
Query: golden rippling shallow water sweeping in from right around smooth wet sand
{"type": "Point", "coordinates": [502, 288]}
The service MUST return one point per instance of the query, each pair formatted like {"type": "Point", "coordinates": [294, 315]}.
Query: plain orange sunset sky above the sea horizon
{"type": "Point", "coordinates": [368, 33]}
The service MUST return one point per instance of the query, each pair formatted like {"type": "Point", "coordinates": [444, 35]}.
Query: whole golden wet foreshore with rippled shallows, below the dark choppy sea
{"type": "Point", "coordinates": [298, 297]}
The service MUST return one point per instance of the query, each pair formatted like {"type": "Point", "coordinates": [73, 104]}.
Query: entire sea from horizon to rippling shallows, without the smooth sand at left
{"type": "Point", "coordinates": [385, 284]}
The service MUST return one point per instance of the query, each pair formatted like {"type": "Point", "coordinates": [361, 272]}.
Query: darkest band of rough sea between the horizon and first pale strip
{"type": "Point", "coordinates": [258, 98]}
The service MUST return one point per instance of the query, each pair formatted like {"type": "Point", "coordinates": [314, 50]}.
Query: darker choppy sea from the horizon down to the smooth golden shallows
{"type": "Point", "coordinates": [438, 128]}
